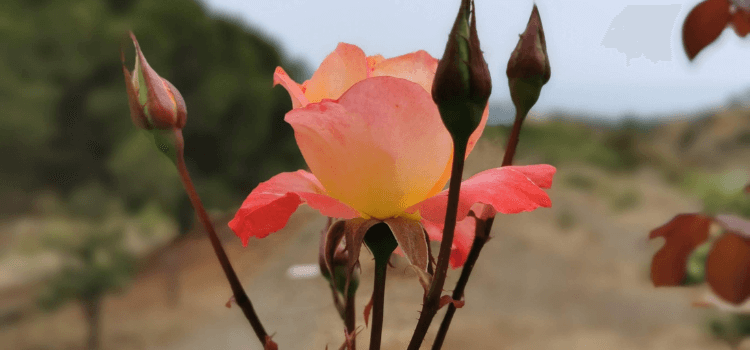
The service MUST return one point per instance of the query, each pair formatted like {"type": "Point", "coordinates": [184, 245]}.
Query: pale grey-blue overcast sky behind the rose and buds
{"type": "Point", "coordinates": [612, 57]}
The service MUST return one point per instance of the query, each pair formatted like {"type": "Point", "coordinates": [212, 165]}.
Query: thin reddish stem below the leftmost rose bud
{"type": "Point", "coordinates": [241, 298]}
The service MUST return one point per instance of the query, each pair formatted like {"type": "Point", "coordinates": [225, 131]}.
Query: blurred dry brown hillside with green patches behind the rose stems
{"type": "Point", "coordinates": [571, 277]}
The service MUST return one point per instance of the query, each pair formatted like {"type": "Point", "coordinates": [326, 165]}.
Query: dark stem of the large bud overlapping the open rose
{"type": "Point", "coordinates": [432, 299]}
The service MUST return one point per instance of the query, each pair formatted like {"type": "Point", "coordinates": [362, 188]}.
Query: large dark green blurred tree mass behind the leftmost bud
{"type": "Point", "coordinates": [65, 121]}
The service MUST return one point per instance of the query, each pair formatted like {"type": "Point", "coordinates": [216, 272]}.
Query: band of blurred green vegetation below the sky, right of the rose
{"type": "Point", "coordinates": [706, 155]}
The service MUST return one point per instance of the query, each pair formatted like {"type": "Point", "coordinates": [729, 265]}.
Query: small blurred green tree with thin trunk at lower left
{"type": "Point", "coordinates": [95, 260]}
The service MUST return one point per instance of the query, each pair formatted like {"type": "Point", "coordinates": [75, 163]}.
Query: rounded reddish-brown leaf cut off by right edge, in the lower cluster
{"type": "Point", "coordinates": [728, 268]}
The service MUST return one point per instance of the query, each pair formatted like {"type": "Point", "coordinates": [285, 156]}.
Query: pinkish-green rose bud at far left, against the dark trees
{"type": "Point", "coordinates": [154, 102]}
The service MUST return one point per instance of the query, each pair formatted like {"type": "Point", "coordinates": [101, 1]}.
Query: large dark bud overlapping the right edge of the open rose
{"type": "Point", "coordinates": [462, 82]}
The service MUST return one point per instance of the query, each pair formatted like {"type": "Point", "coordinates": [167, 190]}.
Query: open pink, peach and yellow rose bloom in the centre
{"type": "Point", "coordinates": [377, 149]}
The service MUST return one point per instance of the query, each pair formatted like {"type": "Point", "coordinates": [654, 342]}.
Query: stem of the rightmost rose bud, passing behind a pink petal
{"type": "Point", "coordinates": [482, 234]}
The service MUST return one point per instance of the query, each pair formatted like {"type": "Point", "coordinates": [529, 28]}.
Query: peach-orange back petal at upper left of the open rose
{"type": "Point", "coordinates": [344, 67]}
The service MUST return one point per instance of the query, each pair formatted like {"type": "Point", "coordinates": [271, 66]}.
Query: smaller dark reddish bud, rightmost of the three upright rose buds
{"type": "Point", "coordinates": [528, 67]}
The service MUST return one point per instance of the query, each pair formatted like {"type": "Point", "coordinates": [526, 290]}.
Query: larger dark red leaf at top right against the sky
{"type": "Point", "coordinates": [703, 25]}
